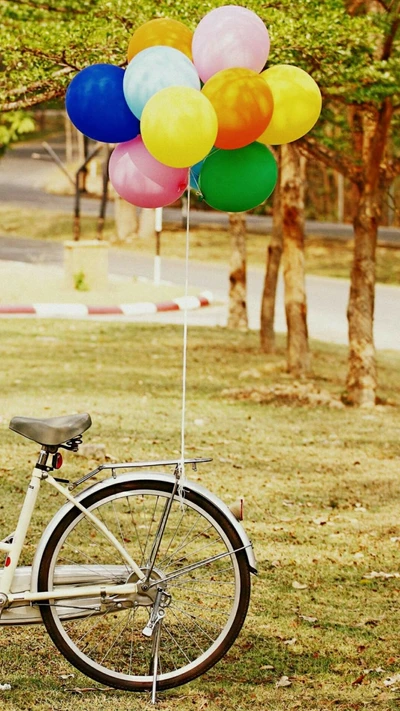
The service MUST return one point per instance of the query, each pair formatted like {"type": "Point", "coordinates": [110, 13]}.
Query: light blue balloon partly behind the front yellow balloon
{"type": "Point", "coordinates": [153, 69]}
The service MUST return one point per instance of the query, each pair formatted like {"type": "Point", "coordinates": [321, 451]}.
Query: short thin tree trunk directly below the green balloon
{"type": "Point", "coordinates": [237, 317]}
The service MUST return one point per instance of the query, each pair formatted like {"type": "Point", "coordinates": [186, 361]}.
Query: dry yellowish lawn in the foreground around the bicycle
{"type": "Point", "coordinates": [321, 488]}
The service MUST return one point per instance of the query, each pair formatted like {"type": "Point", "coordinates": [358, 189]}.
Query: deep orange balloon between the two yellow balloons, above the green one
{"type": "Point", "coordinates": [243, 106]}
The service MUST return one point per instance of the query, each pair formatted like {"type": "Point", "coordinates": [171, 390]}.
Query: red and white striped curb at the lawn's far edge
{"type": "Point", "coordinates": [81, 310]}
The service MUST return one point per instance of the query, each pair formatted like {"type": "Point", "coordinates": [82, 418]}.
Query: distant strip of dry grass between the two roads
{"type": "Point", "coordinates": [324, 257]}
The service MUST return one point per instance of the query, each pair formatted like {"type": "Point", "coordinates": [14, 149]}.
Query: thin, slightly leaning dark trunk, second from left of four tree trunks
{"type": "Point", "coordinates": [274, 254]}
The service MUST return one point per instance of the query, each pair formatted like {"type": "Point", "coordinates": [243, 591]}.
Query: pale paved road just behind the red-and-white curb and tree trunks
{"type": "Point", "coordinates": [327, 298]}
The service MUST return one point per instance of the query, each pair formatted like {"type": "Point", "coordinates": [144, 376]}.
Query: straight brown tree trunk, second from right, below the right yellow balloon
{"type": "Point", "coordinates": [292, 197]}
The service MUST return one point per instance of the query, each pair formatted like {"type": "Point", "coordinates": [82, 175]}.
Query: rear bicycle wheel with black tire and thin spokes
{"type": "Point", "coordinates": [207, 609]}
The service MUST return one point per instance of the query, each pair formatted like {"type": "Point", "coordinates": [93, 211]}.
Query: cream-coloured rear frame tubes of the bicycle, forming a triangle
{"type": "Point", "coordinates": [14, 549]}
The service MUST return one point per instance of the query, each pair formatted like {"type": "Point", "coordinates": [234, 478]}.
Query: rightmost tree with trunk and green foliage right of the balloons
{"type": "Point", "coordinates": [352, 50]}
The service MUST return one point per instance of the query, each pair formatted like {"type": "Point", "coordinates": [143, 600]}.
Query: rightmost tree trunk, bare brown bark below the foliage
{"type": "Point", "coordinates": [362, 376]}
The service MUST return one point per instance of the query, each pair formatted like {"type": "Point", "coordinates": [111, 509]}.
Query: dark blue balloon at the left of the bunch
{"type": "Point", "coordinates": [96, 104]}
